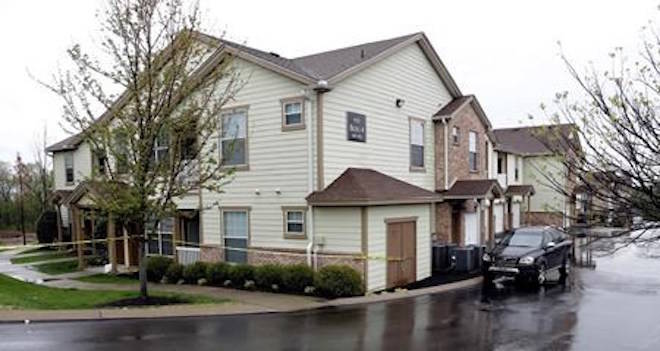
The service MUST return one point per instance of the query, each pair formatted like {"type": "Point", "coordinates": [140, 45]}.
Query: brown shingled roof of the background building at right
{"type": "Point", "coordinates": [534, 141]}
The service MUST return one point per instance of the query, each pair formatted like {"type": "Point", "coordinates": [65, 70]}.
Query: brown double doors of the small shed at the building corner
{"type": "Point", "coordinates": [401, 253]}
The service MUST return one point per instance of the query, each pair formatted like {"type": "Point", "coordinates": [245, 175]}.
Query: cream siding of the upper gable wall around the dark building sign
{"type": "Point", "coordinates": [406, 74]}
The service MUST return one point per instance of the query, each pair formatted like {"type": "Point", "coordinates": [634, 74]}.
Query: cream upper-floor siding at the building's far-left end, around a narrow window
{"type": "Point", "coordinates": [82, 167]}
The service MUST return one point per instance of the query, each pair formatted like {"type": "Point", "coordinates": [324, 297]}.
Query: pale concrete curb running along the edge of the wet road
{"type": "Point", "coordinates": [226, 309]}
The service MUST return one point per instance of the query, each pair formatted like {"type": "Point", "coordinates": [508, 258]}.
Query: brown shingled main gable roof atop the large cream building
{"type": "Point", "coordinates": [329, 66]}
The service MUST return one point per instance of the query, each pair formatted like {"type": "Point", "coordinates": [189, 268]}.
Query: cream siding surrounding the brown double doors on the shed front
{"type": "Point", "coordinates": [377, 241]}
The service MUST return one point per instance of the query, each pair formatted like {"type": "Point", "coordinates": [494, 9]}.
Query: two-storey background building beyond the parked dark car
{"type": "Point", "coordinates": [525, 158]}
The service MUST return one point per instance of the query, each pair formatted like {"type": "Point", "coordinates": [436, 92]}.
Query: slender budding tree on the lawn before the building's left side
{"type": "Point", "coordinates": [156, 141]}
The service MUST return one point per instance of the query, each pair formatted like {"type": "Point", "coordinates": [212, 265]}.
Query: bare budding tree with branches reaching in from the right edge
{"type": "Point", "coordinates": [617, 168]}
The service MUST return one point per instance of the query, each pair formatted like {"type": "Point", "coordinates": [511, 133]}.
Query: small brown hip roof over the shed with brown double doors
{"type": "Point", "coordinates": [360, 186]}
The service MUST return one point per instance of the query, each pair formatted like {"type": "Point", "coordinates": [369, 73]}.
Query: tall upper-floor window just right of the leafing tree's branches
{"type": "Point", "coordinates": [234, 138]}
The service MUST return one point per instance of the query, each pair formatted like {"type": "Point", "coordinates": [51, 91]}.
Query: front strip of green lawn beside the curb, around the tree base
{"type": "Point", "coordinates": [16, 294]}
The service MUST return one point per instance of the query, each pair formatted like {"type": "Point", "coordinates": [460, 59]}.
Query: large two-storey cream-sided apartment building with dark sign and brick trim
{"type": "Point", "coordinates": [347, 156]}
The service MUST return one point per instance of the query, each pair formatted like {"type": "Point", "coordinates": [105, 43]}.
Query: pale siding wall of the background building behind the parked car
{"type": "Point", "coordinates": [546, 197]}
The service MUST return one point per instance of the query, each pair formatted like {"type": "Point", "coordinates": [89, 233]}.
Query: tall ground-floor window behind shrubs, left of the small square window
{"type": "Point", "coordinates": [235, 231]}
